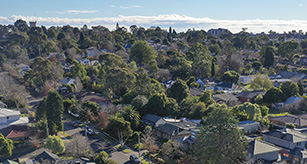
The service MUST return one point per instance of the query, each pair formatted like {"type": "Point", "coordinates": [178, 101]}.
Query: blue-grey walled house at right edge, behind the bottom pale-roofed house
{"type": "Point", "coordinates": [287, 138]}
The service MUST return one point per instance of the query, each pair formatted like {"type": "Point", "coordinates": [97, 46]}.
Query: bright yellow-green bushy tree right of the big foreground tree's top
{"type": "Point", "coordinates": [252, 111]}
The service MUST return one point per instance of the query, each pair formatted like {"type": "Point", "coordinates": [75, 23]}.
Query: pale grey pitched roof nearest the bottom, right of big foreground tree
{"type": "Point", "coordinates": [261, 147]}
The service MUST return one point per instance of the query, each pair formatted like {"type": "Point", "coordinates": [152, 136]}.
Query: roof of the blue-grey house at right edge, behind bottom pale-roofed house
{"type": "Point", "coordinates": [293, 136]}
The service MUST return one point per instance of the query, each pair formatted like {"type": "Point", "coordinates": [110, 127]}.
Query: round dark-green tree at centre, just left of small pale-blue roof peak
{"type": "Point", "coordinates": [179, 90]}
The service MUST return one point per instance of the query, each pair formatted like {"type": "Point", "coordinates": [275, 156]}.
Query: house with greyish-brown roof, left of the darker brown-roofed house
{"type": "Point", "coordinates": [226, 98]}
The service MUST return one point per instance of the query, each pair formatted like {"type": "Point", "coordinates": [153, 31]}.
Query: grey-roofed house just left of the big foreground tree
{"type": "Point", "coordinates": [172, 130]}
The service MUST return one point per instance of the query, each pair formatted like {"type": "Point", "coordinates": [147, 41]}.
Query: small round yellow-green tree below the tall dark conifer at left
{"type": "Point", "coordinates": [55, 144]}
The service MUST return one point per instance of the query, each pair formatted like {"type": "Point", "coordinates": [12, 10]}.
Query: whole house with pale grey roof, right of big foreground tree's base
{"type": "Point", "coordinates": [261, 150]}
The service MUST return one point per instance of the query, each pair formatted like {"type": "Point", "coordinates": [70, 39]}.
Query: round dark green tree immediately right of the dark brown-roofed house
{"type": "Point", "coordinates": [273, 95]}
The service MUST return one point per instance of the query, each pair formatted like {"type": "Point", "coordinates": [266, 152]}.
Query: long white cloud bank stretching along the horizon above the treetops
{"type": "Point", "coordinates": [179, 22]}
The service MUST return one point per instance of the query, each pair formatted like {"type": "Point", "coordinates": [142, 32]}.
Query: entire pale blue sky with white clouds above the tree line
{"type": "Point", "coordinates": [255, 15]}
